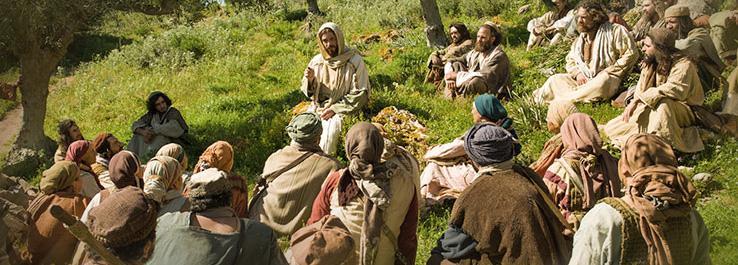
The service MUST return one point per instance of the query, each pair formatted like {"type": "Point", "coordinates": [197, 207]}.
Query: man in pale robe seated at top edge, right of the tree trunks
{"type": "Point", "coordinates": [550, 28]}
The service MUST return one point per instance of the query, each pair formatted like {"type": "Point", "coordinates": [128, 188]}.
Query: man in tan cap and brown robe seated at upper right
{"type": "Point", "coordinates": [696, 41]}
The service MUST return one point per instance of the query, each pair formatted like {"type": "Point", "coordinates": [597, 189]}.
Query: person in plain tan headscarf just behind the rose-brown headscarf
{"type": "Point", "coordinates": [558, 111]}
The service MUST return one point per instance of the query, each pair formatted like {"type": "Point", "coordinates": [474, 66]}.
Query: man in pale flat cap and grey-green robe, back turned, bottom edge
{"type": "Point", "coordinates": [212, 233]}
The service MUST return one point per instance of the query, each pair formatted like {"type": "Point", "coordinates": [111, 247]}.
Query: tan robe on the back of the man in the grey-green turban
{"type": "Point", "coordinates": [287, 202]}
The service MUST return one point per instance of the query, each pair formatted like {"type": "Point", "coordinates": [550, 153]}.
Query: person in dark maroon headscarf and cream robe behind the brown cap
{"type": "Point", "coordinates": [125, 171]}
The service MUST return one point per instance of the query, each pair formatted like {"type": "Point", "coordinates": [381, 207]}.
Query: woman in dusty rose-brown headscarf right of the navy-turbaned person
{"type": "Point", "coordinates": [585, 173]}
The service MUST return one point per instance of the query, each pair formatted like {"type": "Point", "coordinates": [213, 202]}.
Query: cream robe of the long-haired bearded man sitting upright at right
{"type": "Point", "coordinates": [613, 55]}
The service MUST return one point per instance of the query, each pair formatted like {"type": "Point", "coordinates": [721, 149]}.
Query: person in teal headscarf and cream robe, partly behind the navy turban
{"type": "Point", "coordinates": [449, 171]}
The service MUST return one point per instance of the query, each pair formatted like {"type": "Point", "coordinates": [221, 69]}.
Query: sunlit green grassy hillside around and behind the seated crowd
{"type": "Point", "coordinates": [235, 76]}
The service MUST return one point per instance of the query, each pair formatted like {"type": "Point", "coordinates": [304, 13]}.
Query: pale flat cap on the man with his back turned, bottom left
{"type": "Point", "coordinates": [207, 183]}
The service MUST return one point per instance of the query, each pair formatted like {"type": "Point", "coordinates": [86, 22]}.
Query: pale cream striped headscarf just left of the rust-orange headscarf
{"type": "Point", "coordinates": [162, 175]}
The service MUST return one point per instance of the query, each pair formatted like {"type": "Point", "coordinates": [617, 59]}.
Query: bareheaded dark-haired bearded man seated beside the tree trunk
{"type": "Point", "coordinates": [461, 43]}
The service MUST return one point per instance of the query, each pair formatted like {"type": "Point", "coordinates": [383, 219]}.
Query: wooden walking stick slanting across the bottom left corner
{"type": "Point", "coordinates": [80, 231]}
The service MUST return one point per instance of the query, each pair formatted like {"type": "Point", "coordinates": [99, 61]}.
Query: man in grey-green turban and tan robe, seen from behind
{"type": "Point", "coordinates": [292, 178]}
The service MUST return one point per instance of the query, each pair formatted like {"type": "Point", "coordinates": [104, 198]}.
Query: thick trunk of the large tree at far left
{"type": "Point", "coordinates": [36, 70]}
